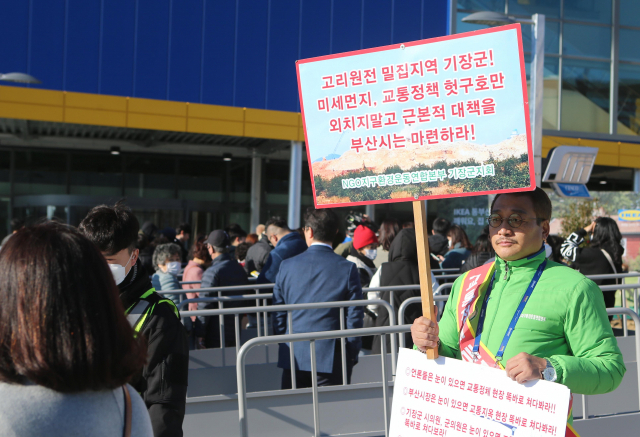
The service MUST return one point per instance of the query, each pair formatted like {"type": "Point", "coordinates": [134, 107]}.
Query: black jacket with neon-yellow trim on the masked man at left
{"type": "Point", "coordinates": [164, 379]}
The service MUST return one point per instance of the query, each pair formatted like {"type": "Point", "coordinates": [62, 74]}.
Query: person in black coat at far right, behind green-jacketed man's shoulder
{"type": "Point", "coordinates": [604, 256]}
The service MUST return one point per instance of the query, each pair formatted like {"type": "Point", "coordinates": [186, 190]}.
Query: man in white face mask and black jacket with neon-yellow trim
{"type": "Point", "coordinates": [164, 379]}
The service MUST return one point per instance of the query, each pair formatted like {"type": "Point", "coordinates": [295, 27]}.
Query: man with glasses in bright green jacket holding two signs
{"type": "Point", "coordinates": [562, 333]}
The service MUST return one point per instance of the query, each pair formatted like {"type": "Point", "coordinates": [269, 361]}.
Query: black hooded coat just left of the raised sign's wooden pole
{"type": "Point", "coordinates": [402, 269]}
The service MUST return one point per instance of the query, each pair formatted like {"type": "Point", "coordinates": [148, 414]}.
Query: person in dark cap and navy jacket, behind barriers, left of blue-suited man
{"type": "Point", "coordinates": [224, 271]}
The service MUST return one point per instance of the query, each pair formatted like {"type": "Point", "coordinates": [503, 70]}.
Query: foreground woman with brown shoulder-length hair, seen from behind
{"type": "Point", "coordinates": [67, 351]}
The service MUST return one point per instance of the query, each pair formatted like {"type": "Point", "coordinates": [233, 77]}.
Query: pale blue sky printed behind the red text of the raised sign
{"type": "Point", "coordinates": [489, 129]}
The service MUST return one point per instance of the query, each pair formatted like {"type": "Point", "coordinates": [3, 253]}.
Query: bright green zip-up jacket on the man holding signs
{"type": "Point", "coordinates": [564, 321]}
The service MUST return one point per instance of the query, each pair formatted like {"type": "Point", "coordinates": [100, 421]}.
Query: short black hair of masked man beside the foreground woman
{"type": "Point", "coordinates": [111, 228]}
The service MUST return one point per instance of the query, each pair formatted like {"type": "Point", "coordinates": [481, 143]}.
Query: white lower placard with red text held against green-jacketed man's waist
{"type": "Point", "coordinates": [448, 397]}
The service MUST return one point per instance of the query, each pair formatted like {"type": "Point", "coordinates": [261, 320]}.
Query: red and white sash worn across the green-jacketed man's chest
{"type": "Point", "coordinates": [472, 289]}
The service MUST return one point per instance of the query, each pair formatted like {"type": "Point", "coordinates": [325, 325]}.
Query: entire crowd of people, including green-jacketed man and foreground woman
{"type": "Point", "coordinates": [83, 329]}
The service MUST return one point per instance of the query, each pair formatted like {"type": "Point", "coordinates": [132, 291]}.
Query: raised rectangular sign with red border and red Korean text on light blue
{"type": "Point", "coordinates": [437, 118]}
